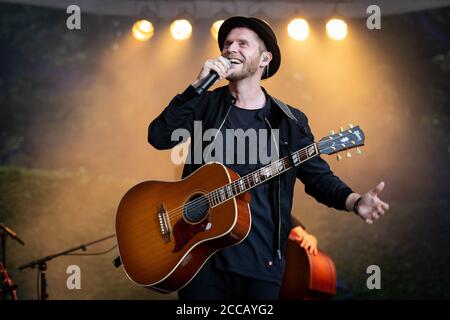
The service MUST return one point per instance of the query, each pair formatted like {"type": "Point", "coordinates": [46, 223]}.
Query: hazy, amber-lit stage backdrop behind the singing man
{"type": "Point", "coordinates": [75, 107]}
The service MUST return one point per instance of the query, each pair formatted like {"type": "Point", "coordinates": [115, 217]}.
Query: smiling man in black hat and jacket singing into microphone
{"type": "Point", "coordinates": [253, 269]}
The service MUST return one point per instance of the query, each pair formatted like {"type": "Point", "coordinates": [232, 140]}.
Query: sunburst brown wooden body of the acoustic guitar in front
{"type": "Point", "coordinates": [166, 230]}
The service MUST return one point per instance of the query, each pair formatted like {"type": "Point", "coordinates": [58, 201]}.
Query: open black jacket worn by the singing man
{"type": "Point", "coordinates": [294, 133]}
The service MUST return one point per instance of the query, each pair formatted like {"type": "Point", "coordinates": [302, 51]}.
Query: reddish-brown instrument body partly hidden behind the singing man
{"type": "Point", "coordinates": [306, 276]}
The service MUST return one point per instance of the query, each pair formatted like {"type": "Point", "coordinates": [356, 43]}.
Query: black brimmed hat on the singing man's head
{"type": "Point", "coordinates": [262, 29]}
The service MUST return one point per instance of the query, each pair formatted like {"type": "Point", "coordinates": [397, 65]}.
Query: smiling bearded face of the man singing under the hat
{"type": "Point", "coordinates": [242, 46]}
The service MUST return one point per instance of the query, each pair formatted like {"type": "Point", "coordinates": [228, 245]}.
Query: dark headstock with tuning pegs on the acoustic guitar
{"type": "Point", "coordinates": [343, 140]}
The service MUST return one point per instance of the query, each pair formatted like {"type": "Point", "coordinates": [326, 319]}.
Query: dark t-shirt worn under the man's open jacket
{"type": "Point", "coordinates": [254, 256]}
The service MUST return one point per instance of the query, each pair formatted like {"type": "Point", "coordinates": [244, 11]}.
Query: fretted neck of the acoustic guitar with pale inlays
{"type": "Point", "coordinates": [263, 174]}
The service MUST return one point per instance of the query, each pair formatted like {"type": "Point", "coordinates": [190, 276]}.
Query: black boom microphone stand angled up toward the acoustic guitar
{"type": "Point", "coordinates": [42, 263]}
